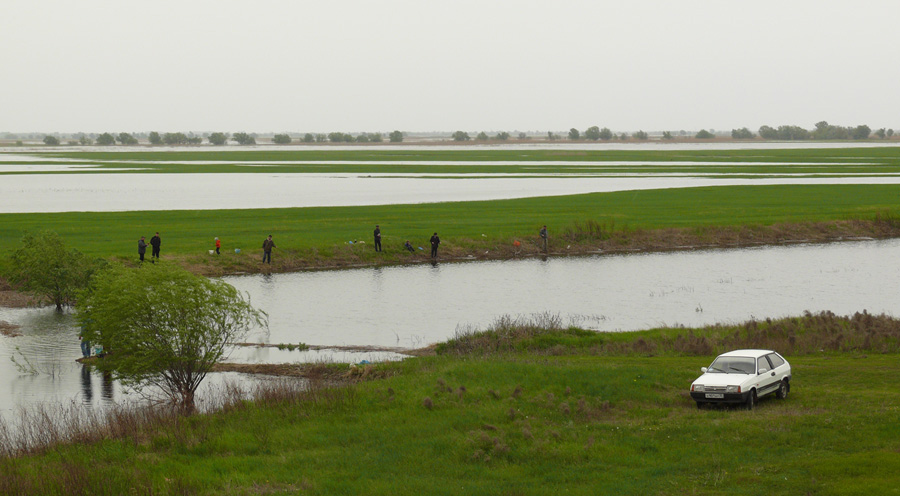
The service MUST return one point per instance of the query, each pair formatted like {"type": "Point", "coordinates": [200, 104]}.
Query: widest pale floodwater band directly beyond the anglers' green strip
{"type": "Point", "coordinates": [116, 192]}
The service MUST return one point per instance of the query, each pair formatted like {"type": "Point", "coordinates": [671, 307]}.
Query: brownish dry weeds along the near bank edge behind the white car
{"type": "Point", "coordinates": [810, 333]}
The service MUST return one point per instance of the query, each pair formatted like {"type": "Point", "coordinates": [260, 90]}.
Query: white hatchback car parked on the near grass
{"type": "Point", "coordinates": [742, 376]}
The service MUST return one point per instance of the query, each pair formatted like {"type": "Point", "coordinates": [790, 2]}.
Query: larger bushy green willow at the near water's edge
{"type": "Point", "coordinates": [163, 326]}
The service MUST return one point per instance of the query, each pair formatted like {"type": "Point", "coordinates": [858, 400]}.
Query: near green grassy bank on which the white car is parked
{"type": "Point", "coordinates": [559, 419]}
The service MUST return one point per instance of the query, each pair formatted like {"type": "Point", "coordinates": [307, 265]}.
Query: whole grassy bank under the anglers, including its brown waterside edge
{"type": "Point", "coordinates": [634, 220]}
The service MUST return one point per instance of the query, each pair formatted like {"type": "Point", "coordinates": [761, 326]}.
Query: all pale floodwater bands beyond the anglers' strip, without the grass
{"type": "Point", "coordinates": [85, 190]}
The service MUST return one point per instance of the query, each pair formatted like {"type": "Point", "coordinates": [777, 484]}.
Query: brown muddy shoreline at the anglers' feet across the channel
{"type": "Point", "coordinates": [584, 243]}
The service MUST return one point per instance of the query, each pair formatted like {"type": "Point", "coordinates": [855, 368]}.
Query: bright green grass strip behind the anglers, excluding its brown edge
{"type": "Point", "coordinates": [323, 232]}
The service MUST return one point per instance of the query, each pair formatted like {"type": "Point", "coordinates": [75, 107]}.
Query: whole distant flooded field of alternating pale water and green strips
{"type": "Point", "coordinates": [104, 179]}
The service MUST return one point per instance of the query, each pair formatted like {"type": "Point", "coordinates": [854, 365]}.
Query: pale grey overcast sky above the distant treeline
{"type": "Point", "coordinates": [421, 65]}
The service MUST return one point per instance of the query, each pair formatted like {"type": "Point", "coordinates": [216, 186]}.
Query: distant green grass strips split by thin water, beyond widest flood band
{"type": "Point", "coordinates": [872, 160]}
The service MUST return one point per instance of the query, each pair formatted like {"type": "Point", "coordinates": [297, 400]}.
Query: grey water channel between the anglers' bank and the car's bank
{"type": "Point", "coordinates": [413, 306]}
